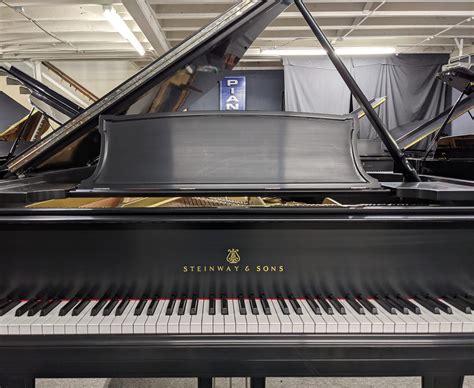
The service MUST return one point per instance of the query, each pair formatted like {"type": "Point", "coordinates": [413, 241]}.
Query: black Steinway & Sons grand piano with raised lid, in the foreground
{"type": "Point", "coordinates": [139, 239]}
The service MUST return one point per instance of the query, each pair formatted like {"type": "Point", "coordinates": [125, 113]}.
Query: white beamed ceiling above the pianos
{"type": "Point", "coordinates": [76, 29]}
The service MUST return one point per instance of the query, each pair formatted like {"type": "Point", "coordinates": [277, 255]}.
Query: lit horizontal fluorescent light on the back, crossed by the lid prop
{"type": "Point", "coordinates": [339, 50]}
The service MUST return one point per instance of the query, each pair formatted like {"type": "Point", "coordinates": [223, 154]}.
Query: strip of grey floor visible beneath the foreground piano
{"type": "Point", "coordinates": [347, 382]}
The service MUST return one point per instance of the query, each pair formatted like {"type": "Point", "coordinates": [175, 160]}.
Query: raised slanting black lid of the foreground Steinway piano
{"type": "Point", "coordinates": [177, 78]}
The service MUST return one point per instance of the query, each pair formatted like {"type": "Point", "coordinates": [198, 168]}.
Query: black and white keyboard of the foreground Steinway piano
{"type": "Point", "coordinates": [378, 315]}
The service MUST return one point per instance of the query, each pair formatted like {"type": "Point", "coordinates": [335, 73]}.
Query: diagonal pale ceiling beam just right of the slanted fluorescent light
{"type": "Point", "coordinates": [146, 20]}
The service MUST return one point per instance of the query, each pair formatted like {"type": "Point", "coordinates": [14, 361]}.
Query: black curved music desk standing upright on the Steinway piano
{"type": "Point", "coordinates": [226, 152]}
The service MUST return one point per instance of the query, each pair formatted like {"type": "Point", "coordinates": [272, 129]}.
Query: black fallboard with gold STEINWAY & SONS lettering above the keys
{"type": "Point", "coordinates": [165, 252]}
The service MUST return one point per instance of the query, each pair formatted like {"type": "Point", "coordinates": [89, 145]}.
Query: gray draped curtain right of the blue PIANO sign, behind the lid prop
{"type": "Point", "coordinates": [408, 81]}
